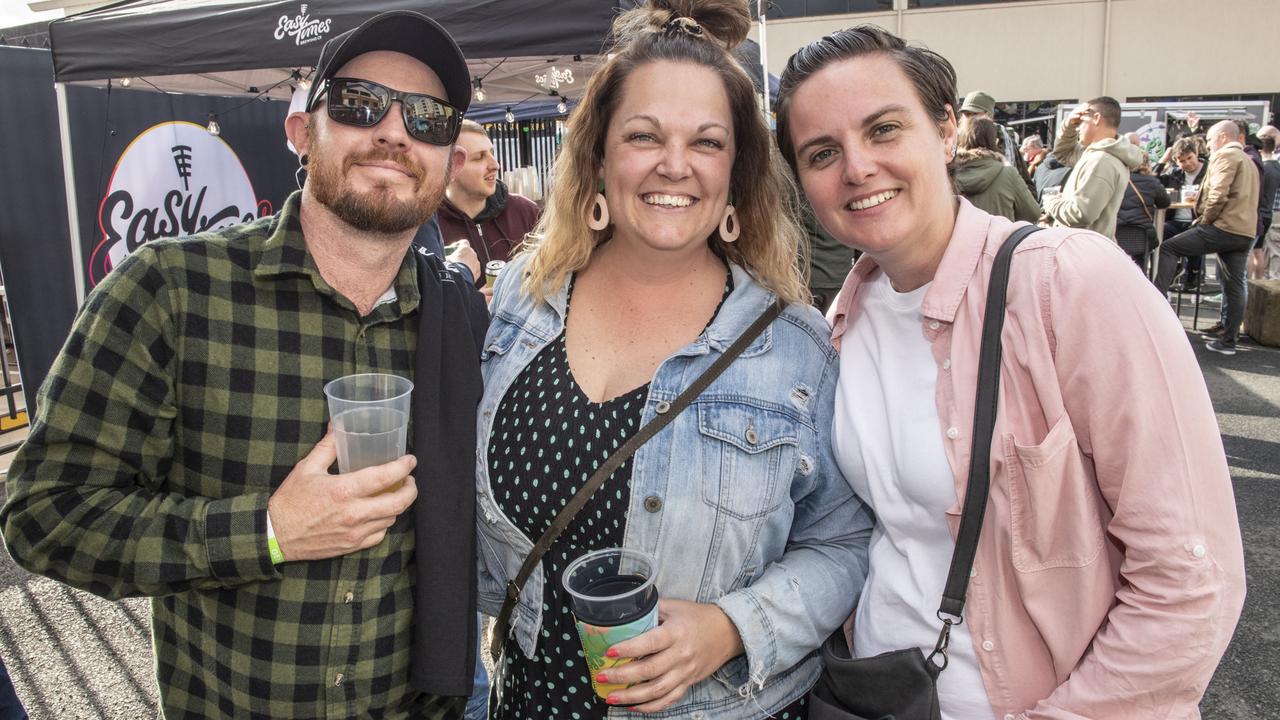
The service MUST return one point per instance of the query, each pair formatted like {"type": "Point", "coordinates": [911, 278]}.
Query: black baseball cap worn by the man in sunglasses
{"type": "Point", "coordinates": [400, 31]}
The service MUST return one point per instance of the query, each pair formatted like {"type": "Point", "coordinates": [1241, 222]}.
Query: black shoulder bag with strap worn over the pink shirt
{"type": "Point", "coordinates": [902, 685]}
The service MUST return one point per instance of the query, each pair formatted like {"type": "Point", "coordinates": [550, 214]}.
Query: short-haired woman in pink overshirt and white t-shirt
{"type": "Point", "coordinates": [1109, 575]}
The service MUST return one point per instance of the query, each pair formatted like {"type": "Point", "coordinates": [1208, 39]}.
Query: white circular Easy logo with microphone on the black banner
{"type": "Point", "coordinates": [175, 180]}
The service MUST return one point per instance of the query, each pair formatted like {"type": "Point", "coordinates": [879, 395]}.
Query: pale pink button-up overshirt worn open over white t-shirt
{"type": "Point", "coordinates": [1109, 575]}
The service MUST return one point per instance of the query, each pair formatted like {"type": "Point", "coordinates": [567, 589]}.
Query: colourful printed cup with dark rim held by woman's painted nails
{"type": "Point", "coordinates": [614, 600]}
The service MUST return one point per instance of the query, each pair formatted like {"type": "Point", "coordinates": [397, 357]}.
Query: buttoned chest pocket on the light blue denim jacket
{"type": "Point", "coordinates": [747, 452]}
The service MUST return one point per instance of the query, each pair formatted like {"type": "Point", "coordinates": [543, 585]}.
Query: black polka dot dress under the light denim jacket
{"type": "Point", "coordinates": [547, 441]}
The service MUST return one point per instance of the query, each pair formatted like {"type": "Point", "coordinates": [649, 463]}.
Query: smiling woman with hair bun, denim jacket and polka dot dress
{"type": "Point", "coordinates": [671, 229]}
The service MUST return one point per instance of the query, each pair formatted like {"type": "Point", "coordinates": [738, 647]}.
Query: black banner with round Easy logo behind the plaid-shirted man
{"type": "Point", "coordinates": [148, 167]}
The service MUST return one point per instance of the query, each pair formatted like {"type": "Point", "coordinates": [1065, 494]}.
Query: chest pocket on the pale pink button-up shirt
{"type": "Point", "coordinates": [1053, 503]}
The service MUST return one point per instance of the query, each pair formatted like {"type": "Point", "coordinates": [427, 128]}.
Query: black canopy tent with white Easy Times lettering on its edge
{"type": "Point", "coordinates": [264, 48]}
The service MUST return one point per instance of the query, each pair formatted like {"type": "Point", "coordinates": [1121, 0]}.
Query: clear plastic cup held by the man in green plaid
{"type": "Point", "coordinates": [371, 418]}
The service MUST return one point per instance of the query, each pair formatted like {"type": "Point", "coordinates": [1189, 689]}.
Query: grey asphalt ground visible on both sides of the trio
{"type": "Point", "coordinates": [74, 655]}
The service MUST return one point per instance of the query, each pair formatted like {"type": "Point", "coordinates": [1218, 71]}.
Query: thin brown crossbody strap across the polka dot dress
{"type": "Point", "coordinates": [666, 414]}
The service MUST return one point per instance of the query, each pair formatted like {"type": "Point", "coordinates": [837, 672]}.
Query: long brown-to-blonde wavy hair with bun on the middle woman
{"type": "Point", "coordinates": [764, 193]}
